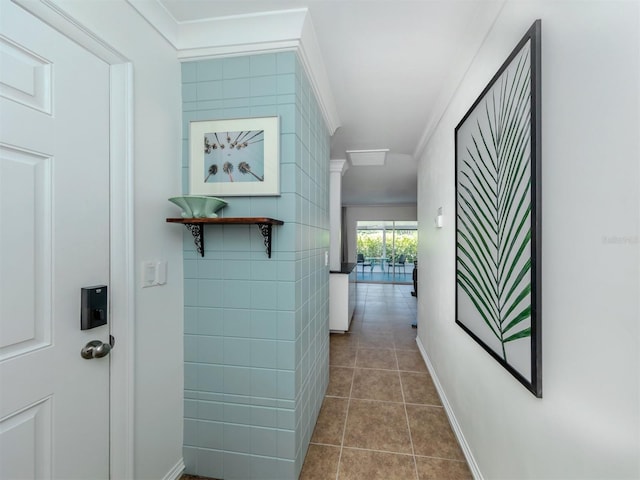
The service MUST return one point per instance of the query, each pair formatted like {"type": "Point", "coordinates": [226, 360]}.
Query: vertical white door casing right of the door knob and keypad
{"type": "Point", "coordinates": [122, 272]}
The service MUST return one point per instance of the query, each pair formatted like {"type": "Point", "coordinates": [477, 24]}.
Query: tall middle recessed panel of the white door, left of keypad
{"type": "Point", "coordinates": [25, 273]}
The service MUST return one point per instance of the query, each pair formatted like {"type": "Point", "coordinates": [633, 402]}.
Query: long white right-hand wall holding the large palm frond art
{"type": "Point", "coordinates": [587, 424]}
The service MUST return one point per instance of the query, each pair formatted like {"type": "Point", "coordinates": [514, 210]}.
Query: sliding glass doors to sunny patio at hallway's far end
{"type": "Point", "coordinates": [386, 251]}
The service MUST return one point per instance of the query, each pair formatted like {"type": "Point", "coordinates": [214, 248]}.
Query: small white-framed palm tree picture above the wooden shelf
{"type": "Point", "coordinates": [235, 157]}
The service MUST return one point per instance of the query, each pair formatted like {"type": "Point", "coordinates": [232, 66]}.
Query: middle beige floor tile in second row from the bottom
{"type": "Point", "coordinates": [377, 426]}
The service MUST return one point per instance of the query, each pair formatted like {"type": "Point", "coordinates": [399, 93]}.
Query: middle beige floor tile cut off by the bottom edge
{"type": "Point", "coordinates": [368, 465]}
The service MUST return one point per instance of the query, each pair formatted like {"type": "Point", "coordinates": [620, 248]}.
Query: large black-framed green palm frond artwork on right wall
{"type": "Point", "coordinates": [498, 215]}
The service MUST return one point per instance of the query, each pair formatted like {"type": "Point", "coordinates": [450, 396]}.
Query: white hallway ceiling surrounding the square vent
{"type": "Point", "coordinates": [392, 66]}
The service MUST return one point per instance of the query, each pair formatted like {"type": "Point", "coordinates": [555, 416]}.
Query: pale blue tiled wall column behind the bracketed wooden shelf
{"type": "Point", "coordinates": [257, 328]}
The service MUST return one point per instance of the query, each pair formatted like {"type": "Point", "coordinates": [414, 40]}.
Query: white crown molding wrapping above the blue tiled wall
{"type": "Point", "coordinates": [278, 31]}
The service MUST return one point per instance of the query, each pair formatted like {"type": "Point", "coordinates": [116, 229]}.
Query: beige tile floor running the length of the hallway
{"type": "Point", "coordinates": [381, 417]}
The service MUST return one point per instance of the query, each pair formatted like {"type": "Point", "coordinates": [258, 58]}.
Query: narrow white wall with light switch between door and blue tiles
{"type": "Point", "coordinates": [158, 310]}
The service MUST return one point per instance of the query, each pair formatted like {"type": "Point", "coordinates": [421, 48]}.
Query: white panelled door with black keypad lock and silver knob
{"type": "Point", "coordinates": [54, 239]}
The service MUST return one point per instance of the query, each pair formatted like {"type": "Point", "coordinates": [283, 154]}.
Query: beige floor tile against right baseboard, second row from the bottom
{"type": "Point", "coordinates": [431, 433]}
